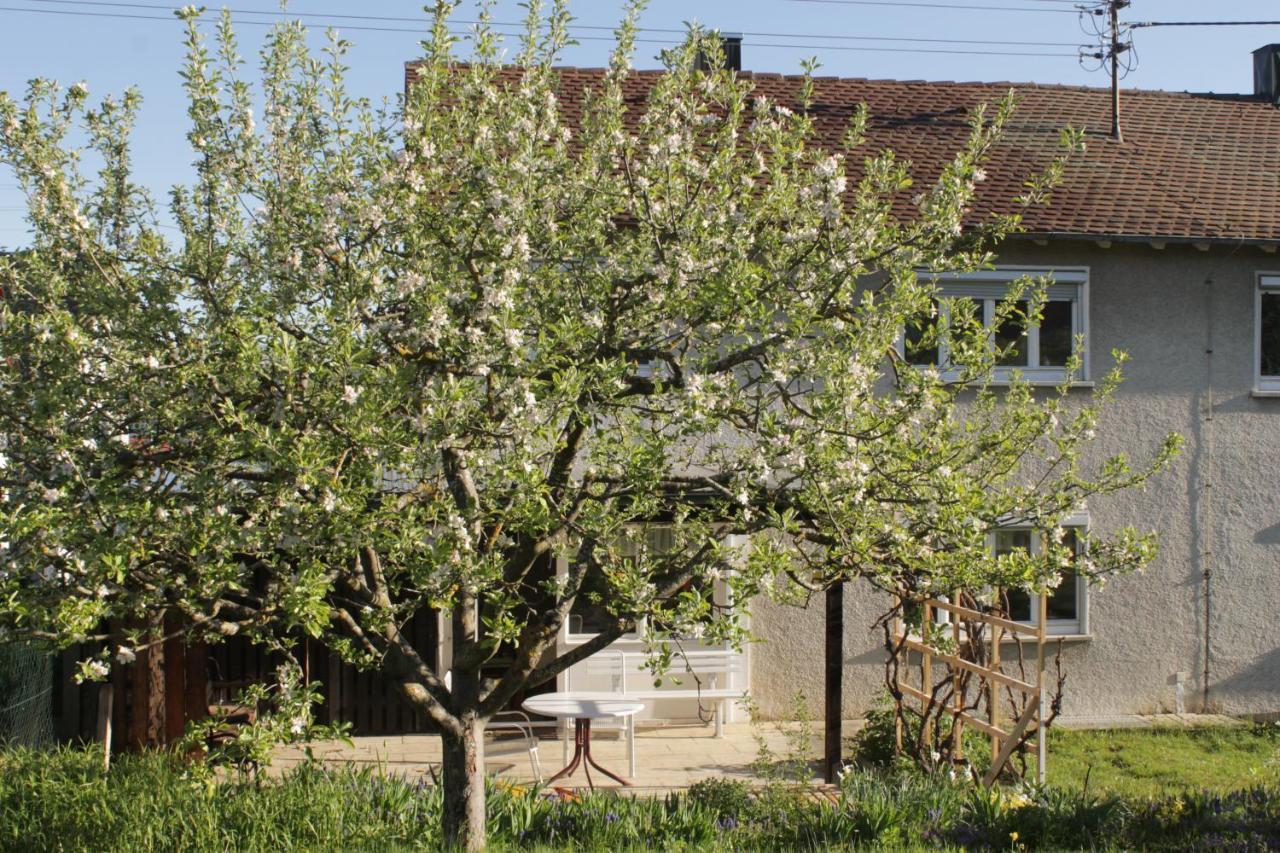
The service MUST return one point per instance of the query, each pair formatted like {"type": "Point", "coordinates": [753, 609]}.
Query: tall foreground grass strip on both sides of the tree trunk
{"type": "Point", "coordinates": [63, 801]}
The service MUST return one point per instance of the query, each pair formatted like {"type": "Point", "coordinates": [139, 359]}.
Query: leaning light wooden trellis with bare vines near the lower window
{"type": "Point", "coordinates": [991, 679]}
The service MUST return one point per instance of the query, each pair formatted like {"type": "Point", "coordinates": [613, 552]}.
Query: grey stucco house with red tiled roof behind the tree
{"type": "Point", "coordinates": [1164, 245]}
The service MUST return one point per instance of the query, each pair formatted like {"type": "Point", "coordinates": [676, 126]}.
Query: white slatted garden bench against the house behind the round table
{"type": "Point", "coordinates": [712, 676]}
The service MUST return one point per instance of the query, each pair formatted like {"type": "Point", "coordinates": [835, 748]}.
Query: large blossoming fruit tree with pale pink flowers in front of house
{"type": "Point", "coordinates": [404, 358]}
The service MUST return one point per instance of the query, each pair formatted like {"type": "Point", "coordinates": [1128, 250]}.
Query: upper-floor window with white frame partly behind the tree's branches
{"type": "Point", "coordinates": [1039, 352]}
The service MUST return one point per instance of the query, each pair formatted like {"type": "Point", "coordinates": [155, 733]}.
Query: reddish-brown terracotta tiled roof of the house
{"type": "Point", "coordinates": [1192, 167]}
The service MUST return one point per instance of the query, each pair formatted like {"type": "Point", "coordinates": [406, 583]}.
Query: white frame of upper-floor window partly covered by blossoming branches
{"type": "Point", "coordinates": [1069, 284]}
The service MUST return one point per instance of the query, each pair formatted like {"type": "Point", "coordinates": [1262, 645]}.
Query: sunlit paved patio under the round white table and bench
{"type": "Point", "coordinates": [668, 758]}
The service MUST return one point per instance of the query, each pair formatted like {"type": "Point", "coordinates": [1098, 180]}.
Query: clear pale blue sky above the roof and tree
{"type": "Point", "coordinates": [112, 53]}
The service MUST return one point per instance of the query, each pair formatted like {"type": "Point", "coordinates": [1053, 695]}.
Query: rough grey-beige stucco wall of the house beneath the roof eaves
{"type": "Point", "coordinates": [1186, 317]}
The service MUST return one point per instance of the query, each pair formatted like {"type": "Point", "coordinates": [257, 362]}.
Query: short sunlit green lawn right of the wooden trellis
{"type": "Point", "coordinates": [1150, 763]}
